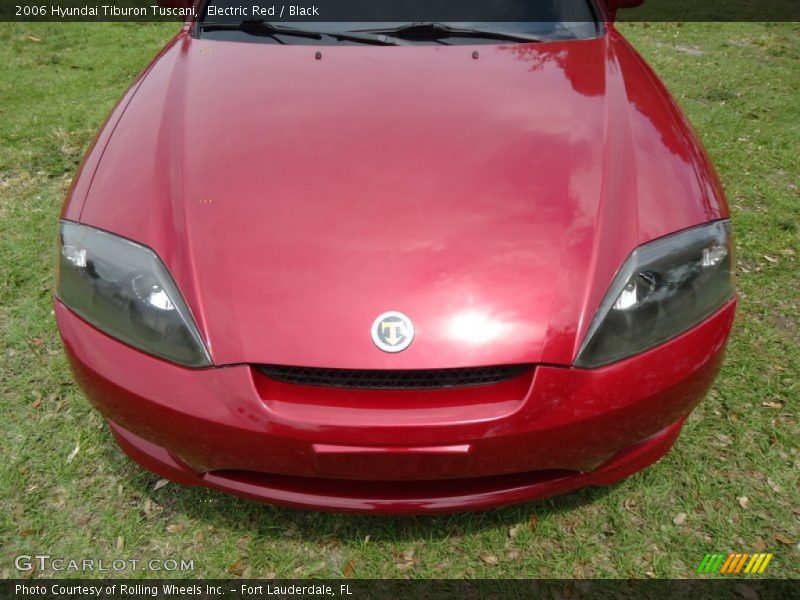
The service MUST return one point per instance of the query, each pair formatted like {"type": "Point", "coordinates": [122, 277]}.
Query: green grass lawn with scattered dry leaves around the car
{"type": "Point", "coordinates": [739, 84]}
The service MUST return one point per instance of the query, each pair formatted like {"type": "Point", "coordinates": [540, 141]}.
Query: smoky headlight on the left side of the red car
{"type": "Point", "coordinates": [123, 289]}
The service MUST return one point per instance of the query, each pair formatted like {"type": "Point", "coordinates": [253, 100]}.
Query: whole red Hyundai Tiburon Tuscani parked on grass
{"type": "Point", "coordinates": [396, 267]}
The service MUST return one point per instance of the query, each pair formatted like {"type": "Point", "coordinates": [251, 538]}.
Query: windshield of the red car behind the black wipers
{"type": "Point", "coordinates": [539, 19]}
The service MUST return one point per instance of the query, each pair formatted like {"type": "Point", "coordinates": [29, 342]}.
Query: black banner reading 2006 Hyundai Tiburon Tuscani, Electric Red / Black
{"type": "Point", "coordinates": [371, 11]}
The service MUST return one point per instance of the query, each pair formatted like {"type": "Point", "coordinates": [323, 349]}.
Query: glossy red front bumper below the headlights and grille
{"type": "Point", "coordinates": [549, 432]}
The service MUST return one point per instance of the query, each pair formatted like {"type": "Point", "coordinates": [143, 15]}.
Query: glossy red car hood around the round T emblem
{"type": "Point", "coordinates": [491, 199]}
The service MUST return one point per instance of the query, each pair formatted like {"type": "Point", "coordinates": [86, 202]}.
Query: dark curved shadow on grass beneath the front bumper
{"type": "Point", "coordinates": [242, 517]}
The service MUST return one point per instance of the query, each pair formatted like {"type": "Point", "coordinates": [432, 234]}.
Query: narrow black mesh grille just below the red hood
{"type": "Point", "coordinates": [413, 379]}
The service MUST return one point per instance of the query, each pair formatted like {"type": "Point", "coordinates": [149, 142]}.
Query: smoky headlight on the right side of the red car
{"type": "Point", "coordinates": [664, 288]}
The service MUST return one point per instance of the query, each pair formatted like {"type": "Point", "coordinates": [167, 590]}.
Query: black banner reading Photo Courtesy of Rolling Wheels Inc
{"type": "Point", "coordinates": [120, 589]}
